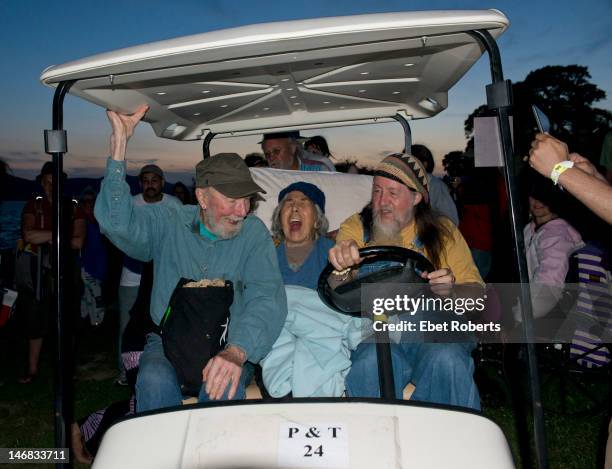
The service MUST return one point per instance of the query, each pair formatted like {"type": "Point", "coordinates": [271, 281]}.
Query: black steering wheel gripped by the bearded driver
{"type": "Point", "coordinates": [346, 297]}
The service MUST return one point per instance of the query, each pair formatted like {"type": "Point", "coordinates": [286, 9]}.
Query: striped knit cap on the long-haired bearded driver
{"type": "Point", "coordinates": [407, 170]}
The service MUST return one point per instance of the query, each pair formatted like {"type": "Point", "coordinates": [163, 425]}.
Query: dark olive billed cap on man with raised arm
{"type": "Point", "coordinates": [229, 174]}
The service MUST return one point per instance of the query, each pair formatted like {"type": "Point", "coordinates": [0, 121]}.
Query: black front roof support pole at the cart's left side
{"type": "Point", "coordinates": [56, 145]}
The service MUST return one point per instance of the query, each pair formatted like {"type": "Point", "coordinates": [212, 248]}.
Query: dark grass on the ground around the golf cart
{"type": "Point", "coordinates": [26, 411]}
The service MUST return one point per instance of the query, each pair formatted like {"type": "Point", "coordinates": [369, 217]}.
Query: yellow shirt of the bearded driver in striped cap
{"type": "Point", "coordinates": [456, 255]}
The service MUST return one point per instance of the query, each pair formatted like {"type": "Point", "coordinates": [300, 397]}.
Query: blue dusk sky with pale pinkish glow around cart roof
{"type": "Point", "coordinates": [37, 34]}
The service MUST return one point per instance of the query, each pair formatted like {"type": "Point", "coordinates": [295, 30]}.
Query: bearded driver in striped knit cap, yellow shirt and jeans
{"type": "Point", "coordinates": [400, 214]}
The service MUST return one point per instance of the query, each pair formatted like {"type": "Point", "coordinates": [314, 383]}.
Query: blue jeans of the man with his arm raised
{"type": "Point", "coordinates": [157, 385]}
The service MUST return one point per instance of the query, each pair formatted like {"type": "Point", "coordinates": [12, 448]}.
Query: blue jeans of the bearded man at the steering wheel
{"type": "Point", "coordinates": [441, 373]}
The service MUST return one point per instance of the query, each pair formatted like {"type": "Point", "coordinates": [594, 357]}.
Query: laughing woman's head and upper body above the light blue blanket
{"type": "Point", "coordinates": [300, 225]}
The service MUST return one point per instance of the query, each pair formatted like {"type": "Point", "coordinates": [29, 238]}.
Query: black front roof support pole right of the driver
{"type": "Point", "coordinates": [499, 98]}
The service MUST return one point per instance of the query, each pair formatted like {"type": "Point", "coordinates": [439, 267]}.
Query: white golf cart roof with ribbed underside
{"type": "Point", "coordinates": [287, 75]}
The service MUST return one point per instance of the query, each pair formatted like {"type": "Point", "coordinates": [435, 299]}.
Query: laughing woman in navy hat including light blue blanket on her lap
{"type": "Point", "coordinates": [311, 357]}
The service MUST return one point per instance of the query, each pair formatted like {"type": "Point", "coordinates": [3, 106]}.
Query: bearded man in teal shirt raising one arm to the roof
{"type": "Point", "coordinates": [217, 239]}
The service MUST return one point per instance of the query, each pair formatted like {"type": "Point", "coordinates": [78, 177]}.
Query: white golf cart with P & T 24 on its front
{"type": "Point", "coordinates": [294, 76]}
